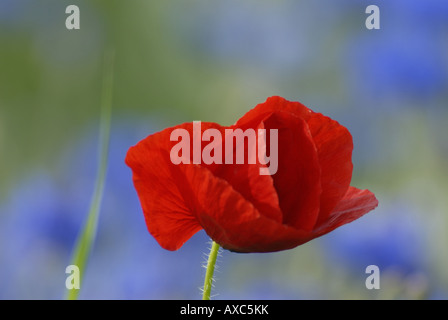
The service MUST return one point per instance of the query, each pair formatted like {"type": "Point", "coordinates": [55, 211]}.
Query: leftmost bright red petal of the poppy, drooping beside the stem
{"type": "Point", "coordinates": [161, 187]}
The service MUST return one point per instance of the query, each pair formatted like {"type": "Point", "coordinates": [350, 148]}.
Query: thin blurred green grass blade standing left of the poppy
{"type": "Point", "coordinates": [86, 237]}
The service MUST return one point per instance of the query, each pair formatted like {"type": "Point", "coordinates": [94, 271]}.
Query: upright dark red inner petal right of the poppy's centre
{"type": "Point", "coordinates": [297, 180]}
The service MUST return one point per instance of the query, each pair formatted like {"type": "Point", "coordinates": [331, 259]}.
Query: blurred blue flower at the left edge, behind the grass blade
{"type": "Point", "coordinates": [37, 229]}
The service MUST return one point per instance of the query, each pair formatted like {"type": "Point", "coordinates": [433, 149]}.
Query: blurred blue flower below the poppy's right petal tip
{"type": "Point", "coordinates": [392, 238]}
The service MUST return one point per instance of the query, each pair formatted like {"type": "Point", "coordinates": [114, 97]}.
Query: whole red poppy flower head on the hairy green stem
{"type": "Point", "coordinates": [242, 210]}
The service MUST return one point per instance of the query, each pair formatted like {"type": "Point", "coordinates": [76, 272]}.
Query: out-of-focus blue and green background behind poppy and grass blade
{"type": "Point", "coordinates": [179, 61]}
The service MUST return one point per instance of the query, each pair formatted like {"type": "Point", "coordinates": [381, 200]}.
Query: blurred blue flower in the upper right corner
{"type": "Point", "coordinates": [405, 62]}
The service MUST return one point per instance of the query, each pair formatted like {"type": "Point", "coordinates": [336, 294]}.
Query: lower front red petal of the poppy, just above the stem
{"type": "Point", "coordinates": [233, 222]}
